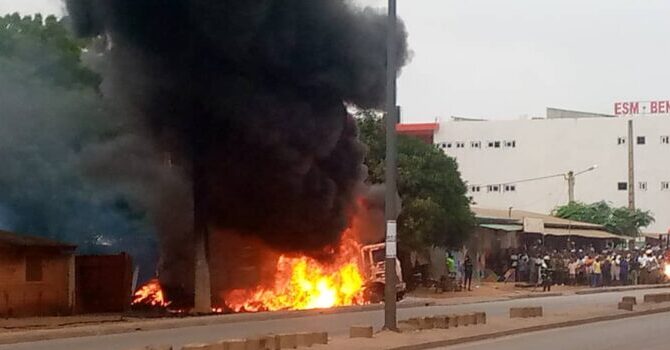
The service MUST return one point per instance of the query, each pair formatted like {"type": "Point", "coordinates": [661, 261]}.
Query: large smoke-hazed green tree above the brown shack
{"type": "Point", "coordinates": [50, 112]}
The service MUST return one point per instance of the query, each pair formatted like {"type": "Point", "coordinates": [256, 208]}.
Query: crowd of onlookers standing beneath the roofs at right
{"type": "Point", "coordinates": [587, 267]}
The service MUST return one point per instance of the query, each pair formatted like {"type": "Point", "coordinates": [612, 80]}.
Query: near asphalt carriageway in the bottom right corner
{"type": "Point", "coordinates": [647, 332]}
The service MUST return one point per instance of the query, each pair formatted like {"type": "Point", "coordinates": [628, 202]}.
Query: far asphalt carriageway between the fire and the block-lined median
{"type": "Point", "coordinates": [335, 324]}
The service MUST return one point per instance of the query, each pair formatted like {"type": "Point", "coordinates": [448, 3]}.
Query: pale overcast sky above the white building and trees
{"type": "Point", "coordinates": [510, 59]}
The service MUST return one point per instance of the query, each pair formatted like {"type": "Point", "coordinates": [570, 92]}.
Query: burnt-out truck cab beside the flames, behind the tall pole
{"type": "Point", "coordinates": [373, 257]}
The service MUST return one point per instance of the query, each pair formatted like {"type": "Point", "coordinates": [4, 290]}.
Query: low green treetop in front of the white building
{"type": "Point", "coordinates": [622, 221]}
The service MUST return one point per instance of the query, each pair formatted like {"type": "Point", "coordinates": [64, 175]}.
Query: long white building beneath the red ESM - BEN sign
{"type": "Point", "coordinates": [502, 160]}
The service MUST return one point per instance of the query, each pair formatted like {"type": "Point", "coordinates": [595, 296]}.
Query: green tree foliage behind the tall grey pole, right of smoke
{"type": "Point", "coordinates": [435, 209]}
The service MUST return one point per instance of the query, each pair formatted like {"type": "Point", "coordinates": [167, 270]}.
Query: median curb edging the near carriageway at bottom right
{"type": "Point", "coordinates": [555, 325]}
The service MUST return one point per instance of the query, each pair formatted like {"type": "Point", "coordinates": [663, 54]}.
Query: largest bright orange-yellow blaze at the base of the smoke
{"type": "Point", "coordinates": [303, 283]}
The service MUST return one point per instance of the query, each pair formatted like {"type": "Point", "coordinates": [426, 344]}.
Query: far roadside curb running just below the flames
{"type": "Point", "coordinates": [16, 337]}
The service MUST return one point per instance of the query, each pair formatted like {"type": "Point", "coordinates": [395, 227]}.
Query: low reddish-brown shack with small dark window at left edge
{"type": "Point", "coordinates": [37, 276]}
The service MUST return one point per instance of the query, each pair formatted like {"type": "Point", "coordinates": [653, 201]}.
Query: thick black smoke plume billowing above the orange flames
{"type": "Point", "coordinates": [247, 99]}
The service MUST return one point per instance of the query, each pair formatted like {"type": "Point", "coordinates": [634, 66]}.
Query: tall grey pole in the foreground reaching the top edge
{"type": "Point", "coordinates": [390, 210]}
